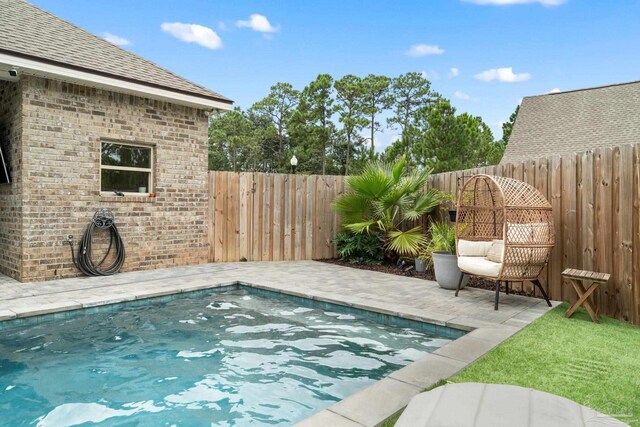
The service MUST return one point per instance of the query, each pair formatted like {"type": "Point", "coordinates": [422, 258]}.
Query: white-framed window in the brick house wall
{"type": "Point", "coordinates": [126, 168]}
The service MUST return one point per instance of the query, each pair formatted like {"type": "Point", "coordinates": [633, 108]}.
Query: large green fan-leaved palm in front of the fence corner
{"type": "Point", "coordinates": [382, 198]}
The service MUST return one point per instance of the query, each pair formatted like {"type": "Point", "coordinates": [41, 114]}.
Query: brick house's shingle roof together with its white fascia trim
{"type": "Point", "coordinates": [37, 41]}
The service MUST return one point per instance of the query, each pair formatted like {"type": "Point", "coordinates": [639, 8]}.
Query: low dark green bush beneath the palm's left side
{"type": "Point", "coordinates": [360, 248]}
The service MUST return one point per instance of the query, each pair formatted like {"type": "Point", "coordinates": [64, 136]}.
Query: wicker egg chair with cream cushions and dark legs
{"type": "Point", "coordinates": [504, 231]}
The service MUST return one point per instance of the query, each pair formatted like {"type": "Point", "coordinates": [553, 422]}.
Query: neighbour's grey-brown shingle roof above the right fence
{"type": "Point", "coordinates": [575, 121]}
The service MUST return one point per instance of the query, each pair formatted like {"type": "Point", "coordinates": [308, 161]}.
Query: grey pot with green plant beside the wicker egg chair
{"type": "Point", "coordinates": [443, 255]}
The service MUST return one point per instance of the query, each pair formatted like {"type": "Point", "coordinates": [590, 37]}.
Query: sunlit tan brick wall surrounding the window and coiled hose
{"type": "Point", "coordinates": [62, 130]}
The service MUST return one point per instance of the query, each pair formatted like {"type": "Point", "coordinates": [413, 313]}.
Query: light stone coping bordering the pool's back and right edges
{"type": "Point", "coordinates": [369, 407]}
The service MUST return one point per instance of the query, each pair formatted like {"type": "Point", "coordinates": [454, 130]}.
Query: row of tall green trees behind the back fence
{"type": "Point", "coordinates": [331, 127]}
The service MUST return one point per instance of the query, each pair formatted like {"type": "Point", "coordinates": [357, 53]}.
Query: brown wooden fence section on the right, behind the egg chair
{"type": "Point", "coordinates": [596, 210]}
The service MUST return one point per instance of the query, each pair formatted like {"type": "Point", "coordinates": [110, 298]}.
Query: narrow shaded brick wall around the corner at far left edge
{"type": "Point", "coordinates": [10, 194]}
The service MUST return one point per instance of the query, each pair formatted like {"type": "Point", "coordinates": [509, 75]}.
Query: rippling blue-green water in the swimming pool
{"type": "Point", "coordinates": [227, 359]}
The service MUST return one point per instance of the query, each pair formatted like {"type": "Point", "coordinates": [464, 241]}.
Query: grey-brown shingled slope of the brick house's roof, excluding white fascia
{"type": "Point", "coordinates": [30, 32]}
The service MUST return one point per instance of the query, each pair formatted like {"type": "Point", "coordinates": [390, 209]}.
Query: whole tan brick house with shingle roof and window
{"type": "Point", "coordinates": [81, 118]}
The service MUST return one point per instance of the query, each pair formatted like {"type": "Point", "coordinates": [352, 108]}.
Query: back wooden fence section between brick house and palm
{"type": "Point", "coordinates": [272, 217]}
